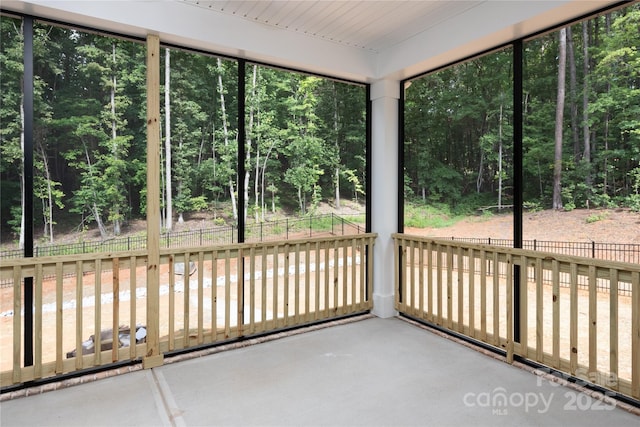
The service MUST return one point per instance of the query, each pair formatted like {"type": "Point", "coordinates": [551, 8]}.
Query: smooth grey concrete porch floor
{"type": "Point", "coordinates": [372, 372]}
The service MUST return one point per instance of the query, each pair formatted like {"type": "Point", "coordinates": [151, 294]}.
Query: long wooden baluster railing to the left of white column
{"type": "Point", "coordinates": [207, 295]}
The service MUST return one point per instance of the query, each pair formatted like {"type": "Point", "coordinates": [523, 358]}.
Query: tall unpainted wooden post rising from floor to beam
{"type": "Point", "coordinates": [153, 357]}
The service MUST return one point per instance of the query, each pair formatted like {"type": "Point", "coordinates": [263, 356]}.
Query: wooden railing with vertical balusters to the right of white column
{"type": "Point", "coordinates": [591, 334]}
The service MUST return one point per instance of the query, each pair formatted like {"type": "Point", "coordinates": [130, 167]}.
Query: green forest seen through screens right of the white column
{"type": "Point", "coordinates": [581, 123]}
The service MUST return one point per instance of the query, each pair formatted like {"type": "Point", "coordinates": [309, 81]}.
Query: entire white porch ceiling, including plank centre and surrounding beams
{"type": "Point", "coordinates": [360, 40]}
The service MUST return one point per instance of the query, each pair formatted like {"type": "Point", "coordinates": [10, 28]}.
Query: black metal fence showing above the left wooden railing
{"type": "Point", "coordinates": [227, 234]}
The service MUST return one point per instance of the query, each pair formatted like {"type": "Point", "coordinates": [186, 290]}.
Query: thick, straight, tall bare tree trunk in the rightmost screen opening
{"type": "Point", "coordinates": [557, 163]}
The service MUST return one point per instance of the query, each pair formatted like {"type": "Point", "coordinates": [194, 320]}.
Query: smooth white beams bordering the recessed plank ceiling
{"type": "Point", "coordinates": [479, 27]}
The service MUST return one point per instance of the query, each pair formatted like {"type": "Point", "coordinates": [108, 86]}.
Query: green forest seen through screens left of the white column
{"type": "Point", "coordinates": [305, 135]}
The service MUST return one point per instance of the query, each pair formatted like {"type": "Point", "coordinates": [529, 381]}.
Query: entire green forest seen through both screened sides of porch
{"type": "Point", "coordinates": [306, 135]}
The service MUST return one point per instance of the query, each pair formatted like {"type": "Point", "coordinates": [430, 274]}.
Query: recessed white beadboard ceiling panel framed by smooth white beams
{"type": "Point", "coordinates": [372, 25]}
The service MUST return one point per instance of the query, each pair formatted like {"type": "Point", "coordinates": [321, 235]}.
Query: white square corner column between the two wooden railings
{"type": "Point", "coordinates": [384, 191]}
